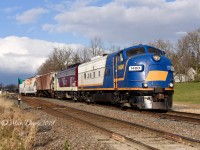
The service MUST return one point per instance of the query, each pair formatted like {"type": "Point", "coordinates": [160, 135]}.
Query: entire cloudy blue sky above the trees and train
{"type": "Point", "coordinates": [30, 29]}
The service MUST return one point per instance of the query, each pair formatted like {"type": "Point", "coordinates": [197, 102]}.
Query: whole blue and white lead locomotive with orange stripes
{"type": "Point", "coordinates": [139, 76]}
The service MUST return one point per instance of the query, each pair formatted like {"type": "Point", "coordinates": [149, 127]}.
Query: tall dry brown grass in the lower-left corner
{"type": "Point", "coordinates": [15, 132]}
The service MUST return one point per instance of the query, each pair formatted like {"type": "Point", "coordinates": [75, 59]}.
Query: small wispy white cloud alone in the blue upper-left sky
{"type": "Point", "coordinates": [30, 16]}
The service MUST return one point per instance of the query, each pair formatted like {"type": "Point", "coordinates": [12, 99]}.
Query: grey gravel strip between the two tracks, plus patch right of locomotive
{"type": "Point", "coordinates": [187, 129]}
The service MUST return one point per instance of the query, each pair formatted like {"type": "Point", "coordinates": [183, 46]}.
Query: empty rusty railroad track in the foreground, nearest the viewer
{"type": "Point", "coordinates": [141, 137]}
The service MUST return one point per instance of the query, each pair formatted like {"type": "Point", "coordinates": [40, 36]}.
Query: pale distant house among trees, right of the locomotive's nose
{"type": "Point", "coordinates": [185, 78]}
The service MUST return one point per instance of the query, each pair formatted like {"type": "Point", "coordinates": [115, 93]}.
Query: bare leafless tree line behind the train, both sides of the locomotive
{"type": "Point", "coordinates": [184, 54]}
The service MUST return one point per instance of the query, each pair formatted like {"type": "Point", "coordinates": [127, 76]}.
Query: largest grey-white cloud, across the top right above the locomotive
{"type": "Point", "coordinates": [129, 20]}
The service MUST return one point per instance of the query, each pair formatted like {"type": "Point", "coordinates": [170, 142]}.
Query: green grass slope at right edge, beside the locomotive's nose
{"type": "Point", "coordinates": [187, 93]}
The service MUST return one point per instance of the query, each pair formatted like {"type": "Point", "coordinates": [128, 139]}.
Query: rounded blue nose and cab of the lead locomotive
{"type": "Point", "coordinates": [145, 75]}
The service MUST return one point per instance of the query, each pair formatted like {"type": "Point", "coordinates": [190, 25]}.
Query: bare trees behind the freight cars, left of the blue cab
{"type": "Point", "coordinates": [61, 58]}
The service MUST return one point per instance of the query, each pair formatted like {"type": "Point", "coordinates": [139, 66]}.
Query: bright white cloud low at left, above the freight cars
{"type": "Point", "coordinates": [25, 55]}
